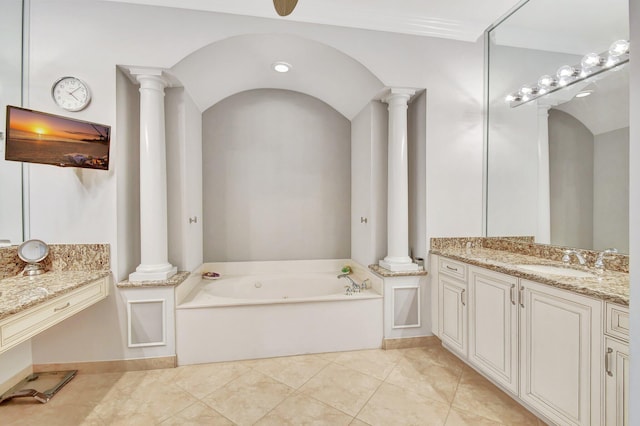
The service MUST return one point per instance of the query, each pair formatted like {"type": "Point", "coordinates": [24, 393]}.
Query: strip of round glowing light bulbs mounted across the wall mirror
{"type": "Point", "coordinates": [590, 66]}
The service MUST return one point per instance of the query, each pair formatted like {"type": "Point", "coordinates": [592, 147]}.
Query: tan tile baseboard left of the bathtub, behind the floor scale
{"type": "Point", "coordinates": [111, 366]}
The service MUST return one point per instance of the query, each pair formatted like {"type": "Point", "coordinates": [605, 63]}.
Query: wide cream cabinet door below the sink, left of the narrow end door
{"type": "Point", "coordinates": [560, 359]}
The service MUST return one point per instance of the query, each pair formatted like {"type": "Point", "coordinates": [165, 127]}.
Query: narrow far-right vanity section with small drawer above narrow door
{"type": "Point", "coordinates": [616, 365]}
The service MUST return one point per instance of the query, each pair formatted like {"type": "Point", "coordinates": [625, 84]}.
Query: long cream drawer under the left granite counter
{"type": "Point", "coordinates": [24, 325]}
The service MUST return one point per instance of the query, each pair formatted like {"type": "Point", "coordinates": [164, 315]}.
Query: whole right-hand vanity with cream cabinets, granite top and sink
{"type": "Point", "coordinates": [555, 337]}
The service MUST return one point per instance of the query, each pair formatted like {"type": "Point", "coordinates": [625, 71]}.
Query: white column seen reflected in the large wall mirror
{"type": "Point", "coordinates": [543, 233]}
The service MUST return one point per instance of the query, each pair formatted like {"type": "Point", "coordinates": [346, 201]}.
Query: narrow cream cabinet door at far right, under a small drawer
{"type": "Point", "coordinates": [616, 382]}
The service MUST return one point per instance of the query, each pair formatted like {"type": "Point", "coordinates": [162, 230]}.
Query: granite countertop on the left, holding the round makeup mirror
{"type": "Point", "coordinates": [19, 293]}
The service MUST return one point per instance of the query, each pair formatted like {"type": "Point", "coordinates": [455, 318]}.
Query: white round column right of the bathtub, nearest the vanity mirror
{"type": "Point", "coordinates": [397, 258]}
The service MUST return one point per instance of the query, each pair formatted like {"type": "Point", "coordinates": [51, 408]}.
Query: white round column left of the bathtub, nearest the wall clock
{"type": "Point", "coordinates": [154, 264]}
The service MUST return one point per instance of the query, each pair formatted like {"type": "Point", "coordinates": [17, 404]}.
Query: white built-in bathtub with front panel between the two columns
{"type": "Point", "coordinates": [268, 309]}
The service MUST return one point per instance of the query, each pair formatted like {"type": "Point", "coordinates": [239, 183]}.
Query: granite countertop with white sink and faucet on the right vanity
{"type": "Point", "coordinates": [611, 286]}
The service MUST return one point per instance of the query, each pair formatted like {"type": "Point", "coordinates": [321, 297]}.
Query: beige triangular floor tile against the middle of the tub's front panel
{"type": "Point", "coordinates": [293, 371]}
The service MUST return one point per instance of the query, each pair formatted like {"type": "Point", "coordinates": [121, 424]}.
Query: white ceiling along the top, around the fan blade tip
{"type": "Point", "coordinates": [463, 20]}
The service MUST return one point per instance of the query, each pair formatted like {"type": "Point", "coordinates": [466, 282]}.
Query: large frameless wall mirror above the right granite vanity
{"type": "Point", "coordinates": [557, 166]}
